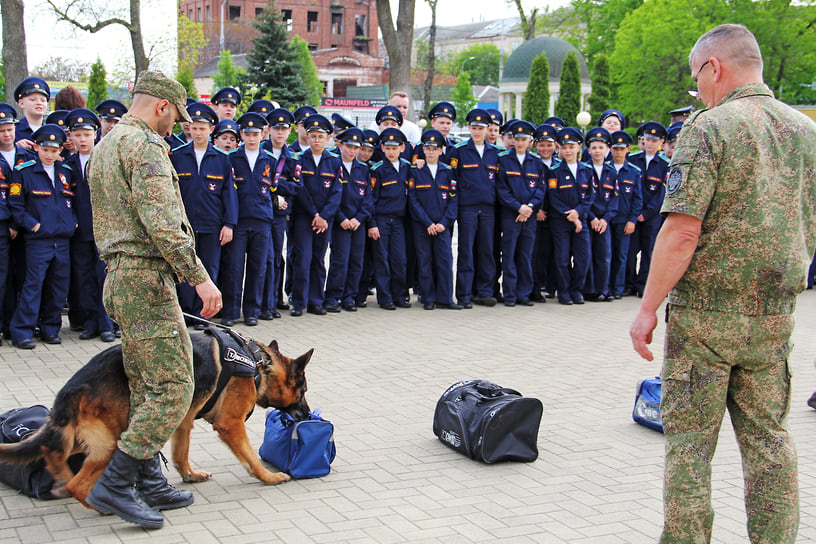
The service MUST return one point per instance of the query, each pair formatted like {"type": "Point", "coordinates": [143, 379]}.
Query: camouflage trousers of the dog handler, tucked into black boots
{"type": "Point", "coordinates": [140, 294]}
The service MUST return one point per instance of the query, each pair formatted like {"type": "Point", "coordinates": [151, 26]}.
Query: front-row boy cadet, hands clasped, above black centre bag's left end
{"type": "Point", "coordinates": [432, 200]}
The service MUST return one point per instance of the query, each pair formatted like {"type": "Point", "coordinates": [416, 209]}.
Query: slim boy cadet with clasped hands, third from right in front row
{"type": "Point", "coordinates": [601, 214]}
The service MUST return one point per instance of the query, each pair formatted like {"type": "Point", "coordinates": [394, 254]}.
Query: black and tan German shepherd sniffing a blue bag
{"type": "Point", "coordinates": [91, 412]}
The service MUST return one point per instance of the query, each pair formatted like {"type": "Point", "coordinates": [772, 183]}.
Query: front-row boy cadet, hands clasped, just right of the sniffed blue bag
{"type": "Point", "coordinates": [348, 234]}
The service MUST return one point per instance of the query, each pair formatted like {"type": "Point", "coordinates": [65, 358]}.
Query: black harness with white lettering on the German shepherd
{"type": "Point", "coordinates": [240, 356]}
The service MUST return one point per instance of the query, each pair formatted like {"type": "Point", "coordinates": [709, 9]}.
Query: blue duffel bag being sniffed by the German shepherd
{"type": "Point", "coordinates": [302, 449]}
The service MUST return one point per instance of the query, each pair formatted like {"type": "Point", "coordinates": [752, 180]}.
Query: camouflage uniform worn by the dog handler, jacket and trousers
{"type": "Point", "coordinates": [144, 237]}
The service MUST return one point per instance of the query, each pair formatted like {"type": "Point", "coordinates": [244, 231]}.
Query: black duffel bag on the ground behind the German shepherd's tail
{"type": "Point", "coordinates": [32, 479]}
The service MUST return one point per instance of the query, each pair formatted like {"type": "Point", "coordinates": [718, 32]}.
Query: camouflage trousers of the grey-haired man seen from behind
{"type": "Point", "coordinates": [716, 361]}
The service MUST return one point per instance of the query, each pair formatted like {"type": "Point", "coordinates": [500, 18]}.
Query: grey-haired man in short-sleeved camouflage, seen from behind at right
{"type": "Point", "coordinates": [734, 251]}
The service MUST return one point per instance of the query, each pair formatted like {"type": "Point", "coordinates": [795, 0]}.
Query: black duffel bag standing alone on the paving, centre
{"type": "Point", "coordinates": [487, 422]}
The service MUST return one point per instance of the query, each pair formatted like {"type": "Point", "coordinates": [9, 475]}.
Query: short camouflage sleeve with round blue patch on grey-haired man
{"type": "Point", "coordinates": [692, 179]}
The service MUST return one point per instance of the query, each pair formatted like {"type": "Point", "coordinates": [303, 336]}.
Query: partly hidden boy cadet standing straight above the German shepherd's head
{"type": "Point", "coordinates": [280, 125]}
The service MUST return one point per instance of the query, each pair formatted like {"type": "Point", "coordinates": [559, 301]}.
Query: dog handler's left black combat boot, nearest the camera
{"type": "Point", "coordinates": [115, 493]}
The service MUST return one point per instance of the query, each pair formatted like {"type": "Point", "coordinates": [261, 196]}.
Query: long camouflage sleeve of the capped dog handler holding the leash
{"type": "Point", "coordinates": [157, 200]}
